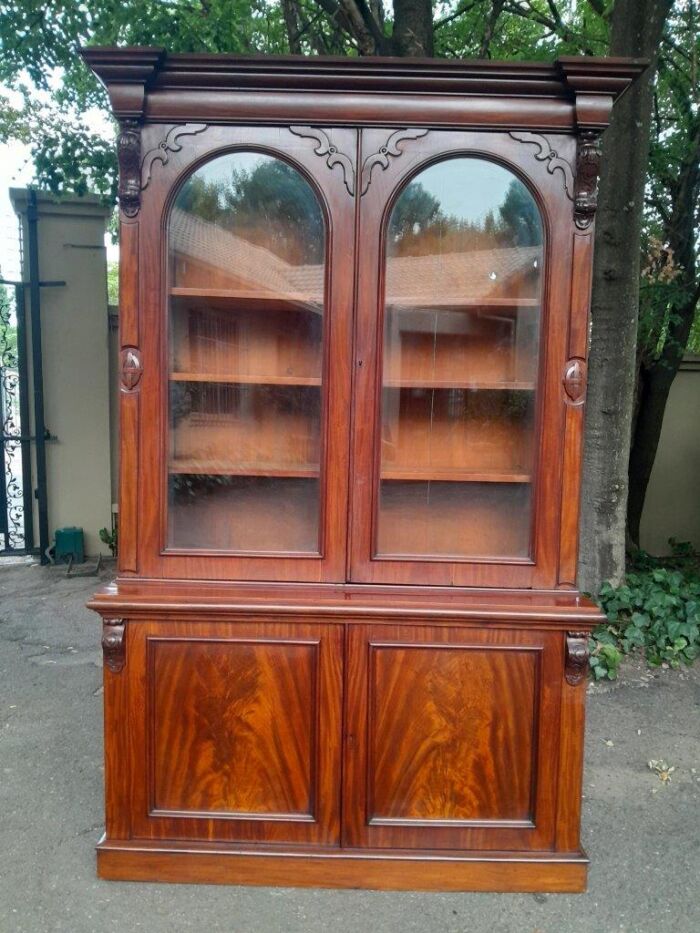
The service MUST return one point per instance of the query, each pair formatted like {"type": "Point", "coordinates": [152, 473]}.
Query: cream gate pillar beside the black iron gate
{"type": "Point", "coordinates": [74, 340]}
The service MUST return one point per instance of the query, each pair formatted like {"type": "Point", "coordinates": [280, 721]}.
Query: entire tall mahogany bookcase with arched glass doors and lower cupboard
{"type": "Point", "coordinates": [345, 646]}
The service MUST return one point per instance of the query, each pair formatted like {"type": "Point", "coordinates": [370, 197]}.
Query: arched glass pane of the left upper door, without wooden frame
{"type": "Point", "coordinates": [247, 246]}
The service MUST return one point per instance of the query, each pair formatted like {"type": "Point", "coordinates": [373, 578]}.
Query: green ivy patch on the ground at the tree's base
{"type": "Point", "coordinates": [656, 609]}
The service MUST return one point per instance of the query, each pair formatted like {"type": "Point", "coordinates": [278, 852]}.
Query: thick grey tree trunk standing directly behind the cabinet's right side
{"type": "Point", "coordinates": [637, 27]}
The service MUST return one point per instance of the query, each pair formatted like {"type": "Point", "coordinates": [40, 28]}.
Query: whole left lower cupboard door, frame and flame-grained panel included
{"type": "Point", "coordinates": [236, 731]}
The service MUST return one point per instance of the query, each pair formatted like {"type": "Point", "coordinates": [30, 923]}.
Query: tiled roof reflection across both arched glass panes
{"type": "Point", "coordinates": [475, 275]}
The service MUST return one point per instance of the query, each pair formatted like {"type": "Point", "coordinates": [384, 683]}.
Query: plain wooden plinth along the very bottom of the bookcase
{"type": "Point", "coordinates": [368, 869]}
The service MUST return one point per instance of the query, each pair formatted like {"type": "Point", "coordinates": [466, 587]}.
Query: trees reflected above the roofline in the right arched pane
{"type": "Point", "coordinates": [420, 226]}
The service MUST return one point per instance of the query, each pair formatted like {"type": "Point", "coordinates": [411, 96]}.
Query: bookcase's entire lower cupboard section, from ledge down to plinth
{"type": "Point", "coordinates": [352, 743]}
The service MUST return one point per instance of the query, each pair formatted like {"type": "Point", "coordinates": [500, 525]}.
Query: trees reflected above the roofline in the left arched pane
{"type": "Point", "coordinates": [270, 205]}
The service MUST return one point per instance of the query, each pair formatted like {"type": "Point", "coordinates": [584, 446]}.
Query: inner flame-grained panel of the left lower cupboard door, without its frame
{"type": "Point", "coordinates": [233, 727]}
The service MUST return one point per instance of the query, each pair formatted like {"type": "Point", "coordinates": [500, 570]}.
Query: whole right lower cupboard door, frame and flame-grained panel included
{"type": "Point", "coordinates": [452, 738]}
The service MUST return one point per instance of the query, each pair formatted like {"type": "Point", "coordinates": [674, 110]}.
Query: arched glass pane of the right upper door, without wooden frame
{"type": "Point", "coordinates": [460, 362]}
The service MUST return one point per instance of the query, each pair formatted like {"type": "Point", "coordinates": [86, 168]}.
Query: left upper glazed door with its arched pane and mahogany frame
{"type": "Point", "coordinates": [246, 247]}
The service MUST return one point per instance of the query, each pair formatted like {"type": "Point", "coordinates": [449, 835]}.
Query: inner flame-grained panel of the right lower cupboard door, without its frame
{"type": "Point", "coordinates": [453, 733]}
